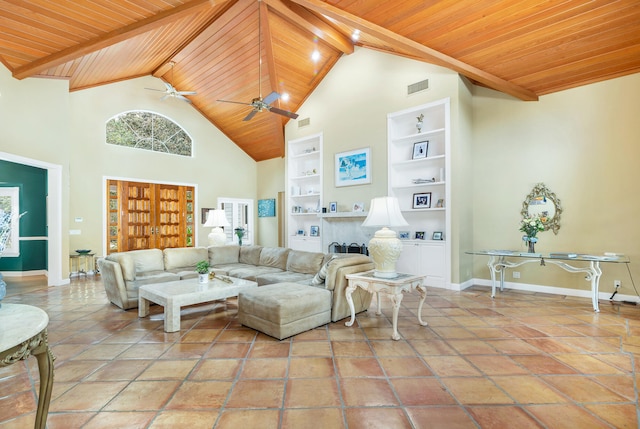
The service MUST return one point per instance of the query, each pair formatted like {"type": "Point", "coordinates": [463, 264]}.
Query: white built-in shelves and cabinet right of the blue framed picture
{"type": "Point", "coordinates": [418, 171]}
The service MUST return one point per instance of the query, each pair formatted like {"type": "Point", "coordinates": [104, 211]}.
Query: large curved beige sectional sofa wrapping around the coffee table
{"type": "Point", "coordinates": [123, 273]}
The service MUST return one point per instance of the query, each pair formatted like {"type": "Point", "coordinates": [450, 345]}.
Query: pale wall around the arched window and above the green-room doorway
{"type": "Point", "coordinates": [41, 120]}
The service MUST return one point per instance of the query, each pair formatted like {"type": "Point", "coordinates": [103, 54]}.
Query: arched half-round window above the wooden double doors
{"type": "Point", "coordinates": [149, 131]}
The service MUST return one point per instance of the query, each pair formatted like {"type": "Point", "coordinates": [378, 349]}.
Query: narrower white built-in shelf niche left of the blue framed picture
{"type": "Point", "coordinates": [304, 193]}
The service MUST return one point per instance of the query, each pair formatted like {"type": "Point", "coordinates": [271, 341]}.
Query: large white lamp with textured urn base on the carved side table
{"type": "Point", "coordinates": [385, 247]}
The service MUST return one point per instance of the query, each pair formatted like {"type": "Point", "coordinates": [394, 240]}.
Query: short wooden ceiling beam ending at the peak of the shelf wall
{"type": "Point", "coordinates": [310, 22]}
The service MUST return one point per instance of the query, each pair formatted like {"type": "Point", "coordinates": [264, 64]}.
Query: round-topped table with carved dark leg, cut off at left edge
{"type": "Point", "coordinates": [24, 333]}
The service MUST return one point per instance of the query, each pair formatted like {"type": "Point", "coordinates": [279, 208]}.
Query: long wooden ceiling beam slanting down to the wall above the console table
{"type": "Point", "coordinates": [418, 50]}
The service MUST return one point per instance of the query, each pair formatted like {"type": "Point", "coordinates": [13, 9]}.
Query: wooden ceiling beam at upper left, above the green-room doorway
{"type": "Point", "coordinates": [112, 37]}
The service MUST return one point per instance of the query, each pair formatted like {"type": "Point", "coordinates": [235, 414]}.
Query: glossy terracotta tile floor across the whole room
{"type": "Point", "coordinates": [520, 361]}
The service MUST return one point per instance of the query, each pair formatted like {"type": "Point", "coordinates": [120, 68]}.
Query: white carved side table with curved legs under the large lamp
{"type": "Point", "coordinates": [392, 287]}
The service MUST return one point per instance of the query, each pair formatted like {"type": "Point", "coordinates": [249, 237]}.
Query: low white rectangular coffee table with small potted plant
{"type": "Point", "coordinates": [174, 295]}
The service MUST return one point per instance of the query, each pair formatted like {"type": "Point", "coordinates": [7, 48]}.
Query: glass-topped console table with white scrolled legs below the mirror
{"type": "Point", "coordinates": [500, 260]}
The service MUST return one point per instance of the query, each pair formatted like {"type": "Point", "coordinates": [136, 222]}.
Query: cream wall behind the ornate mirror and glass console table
{"type": "Point", "coordinates": [583, 144]}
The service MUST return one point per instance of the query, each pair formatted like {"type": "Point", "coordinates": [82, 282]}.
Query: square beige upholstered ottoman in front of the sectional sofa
{"type": "Point", "coordinates": [284, 309]}
